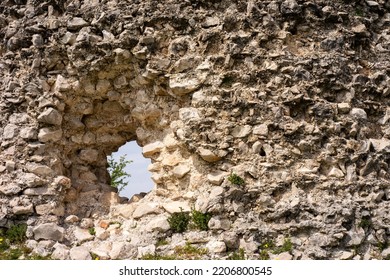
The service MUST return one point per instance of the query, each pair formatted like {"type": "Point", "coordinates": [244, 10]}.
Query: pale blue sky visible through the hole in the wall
{"type": "Point", "coordinates": [140, 180]}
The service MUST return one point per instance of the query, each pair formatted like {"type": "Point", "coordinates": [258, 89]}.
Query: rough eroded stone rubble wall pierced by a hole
{"type": "Point", "coordinates": [291, 96]}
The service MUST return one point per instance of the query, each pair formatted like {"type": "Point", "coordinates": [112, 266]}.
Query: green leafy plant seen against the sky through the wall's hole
{"type": "Point", "coordinates": [117, 172]}
